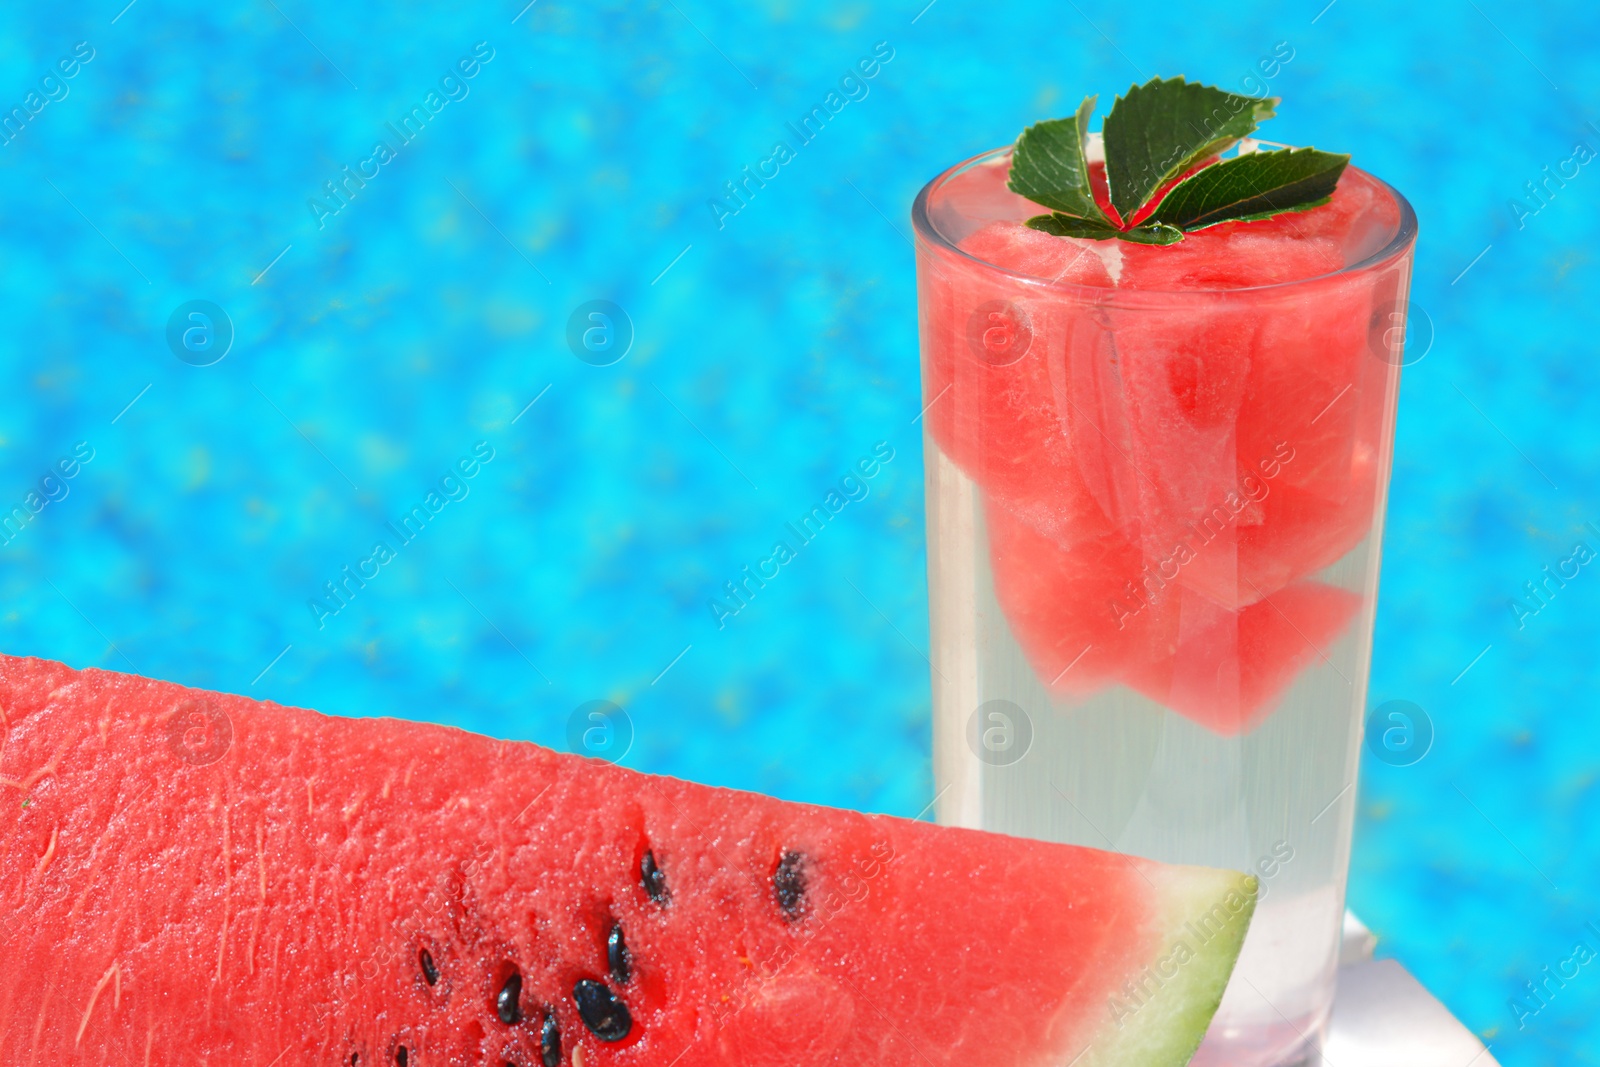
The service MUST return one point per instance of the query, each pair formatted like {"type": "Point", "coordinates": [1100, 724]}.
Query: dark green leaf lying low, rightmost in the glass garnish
{"type": "Point", "coordinates": [1252, 188]}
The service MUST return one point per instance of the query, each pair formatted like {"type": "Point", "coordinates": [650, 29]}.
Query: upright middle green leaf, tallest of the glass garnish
{"type": "Point", "coordinates": [1164, 127]}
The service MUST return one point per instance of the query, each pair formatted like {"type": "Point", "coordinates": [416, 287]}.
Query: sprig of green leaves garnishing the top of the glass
{"type": "Point", "coordinates": [1153, 135]}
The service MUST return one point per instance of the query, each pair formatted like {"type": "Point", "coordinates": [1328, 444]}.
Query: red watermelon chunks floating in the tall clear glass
{"type": "Point", "coordinates": [1183, 412]}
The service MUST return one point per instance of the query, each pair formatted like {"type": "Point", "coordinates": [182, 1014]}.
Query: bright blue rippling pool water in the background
{"type": "Point", "coordinates": [772, 350]}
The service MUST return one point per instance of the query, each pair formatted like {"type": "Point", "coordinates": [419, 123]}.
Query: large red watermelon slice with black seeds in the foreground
{"type": "Point", "coordinates": [193, 877]}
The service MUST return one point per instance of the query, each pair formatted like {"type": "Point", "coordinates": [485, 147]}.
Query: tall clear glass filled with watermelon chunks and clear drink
{"type": "Point", "coordinates": [1156, 505]}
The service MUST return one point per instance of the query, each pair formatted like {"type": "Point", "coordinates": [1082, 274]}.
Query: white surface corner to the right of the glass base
{"type": "Point", "coordinates": [1385, 1018]}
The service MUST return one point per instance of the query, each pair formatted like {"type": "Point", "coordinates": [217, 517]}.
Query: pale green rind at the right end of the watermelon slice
{"type": "Point", "coordinates": [1177, 989]}
